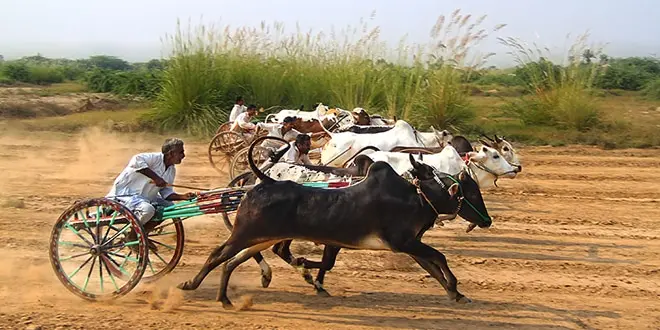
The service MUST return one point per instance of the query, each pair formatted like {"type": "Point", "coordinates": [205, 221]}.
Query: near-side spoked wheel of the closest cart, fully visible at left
{"type": "Point", "coordinates": [98, 249]}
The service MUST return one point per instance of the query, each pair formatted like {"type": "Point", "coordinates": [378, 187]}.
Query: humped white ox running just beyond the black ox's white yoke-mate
{"type": "Point", "coordinates": [344, 145]}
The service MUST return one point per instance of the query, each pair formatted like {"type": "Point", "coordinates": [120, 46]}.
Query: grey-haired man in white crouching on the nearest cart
{"type": "Point", "coordinates": [146, 180]}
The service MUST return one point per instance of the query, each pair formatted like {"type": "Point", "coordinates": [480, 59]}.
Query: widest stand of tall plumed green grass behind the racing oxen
{"type": "Point", "coordinates": [210, 66]}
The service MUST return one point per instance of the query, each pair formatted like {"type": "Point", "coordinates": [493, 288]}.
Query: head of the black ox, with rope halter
{"type": "Point", "coordinates": [453, 195]}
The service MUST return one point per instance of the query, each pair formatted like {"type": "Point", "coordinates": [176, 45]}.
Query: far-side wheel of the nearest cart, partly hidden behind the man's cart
{"type": "Point", "coordinates": [165, 243]}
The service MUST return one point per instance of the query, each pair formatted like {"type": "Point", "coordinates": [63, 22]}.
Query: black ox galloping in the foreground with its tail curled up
{"type": "Point", "coordinates": [383, 212]}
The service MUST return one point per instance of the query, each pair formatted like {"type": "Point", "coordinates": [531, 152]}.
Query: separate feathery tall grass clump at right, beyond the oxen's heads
{"type": "Point", "coordinates": [560, 94]}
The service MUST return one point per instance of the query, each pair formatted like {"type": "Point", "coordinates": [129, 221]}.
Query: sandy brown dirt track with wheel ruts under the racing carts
{"type": "Point", "coordinates": [574, 245]}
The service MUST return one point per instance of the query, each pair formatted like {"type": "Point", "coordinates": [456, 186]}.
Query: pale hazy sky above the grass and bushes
{"type": "Point", "coordinates": [132, 29]}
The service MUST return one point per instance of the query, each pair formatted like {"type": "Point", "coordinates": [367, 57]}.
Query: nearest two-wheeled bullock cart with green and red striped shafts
{"type": "Point", "coordinates": [99, 250]}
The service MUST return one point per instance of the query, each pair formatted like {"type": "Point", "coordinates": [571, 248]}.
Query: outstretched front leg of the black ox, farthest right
{"type": "Point", "coordinates": [435, 259]}
